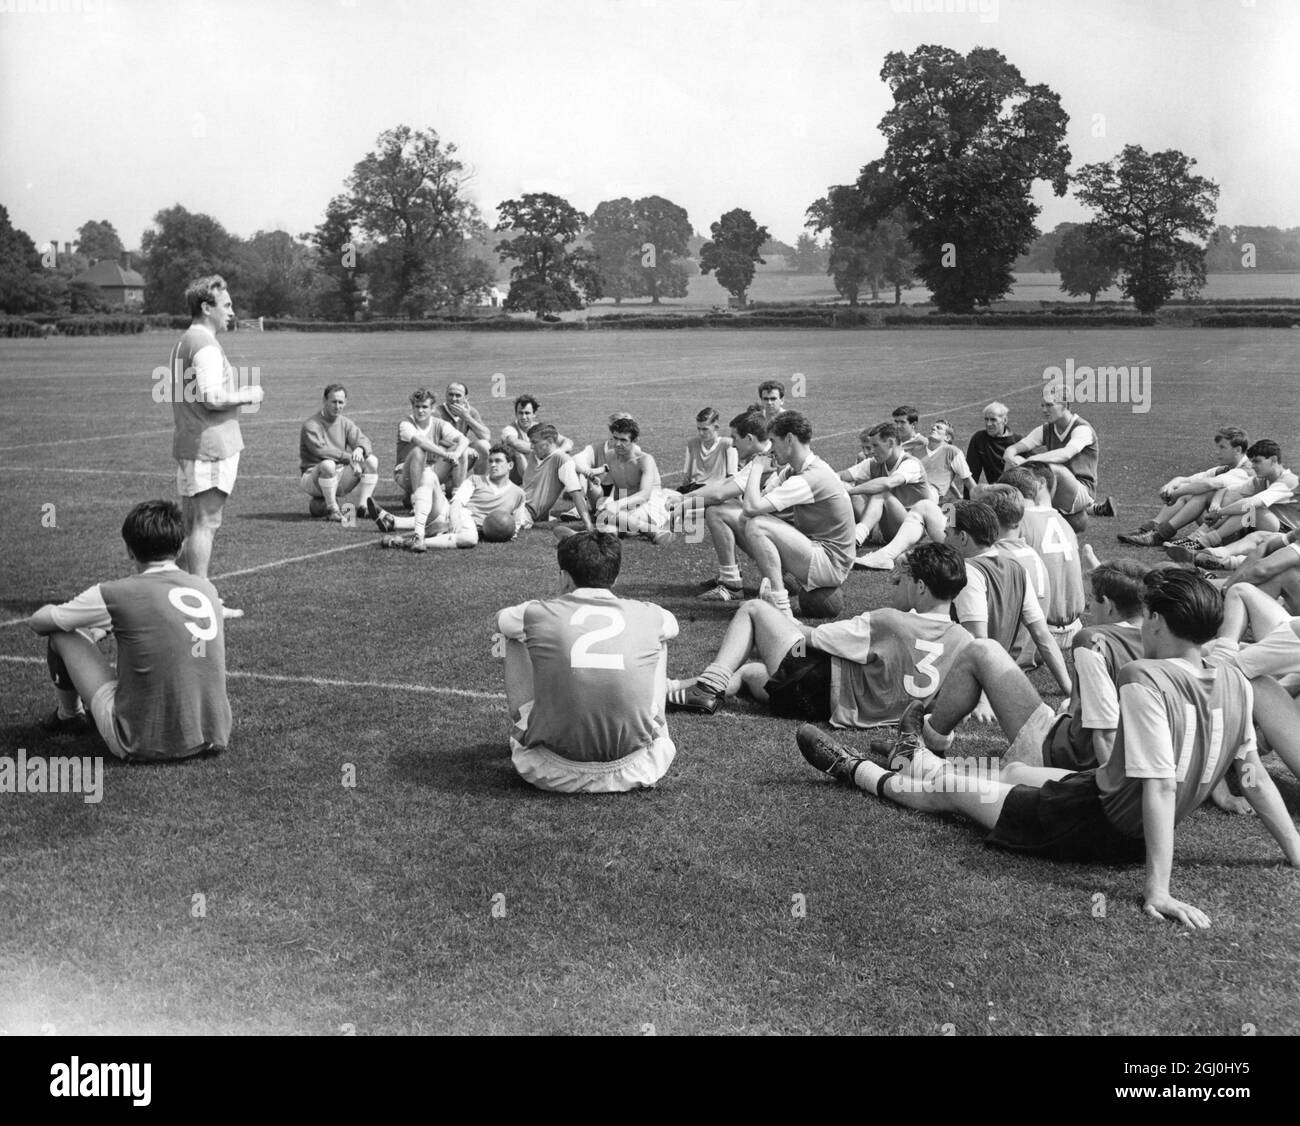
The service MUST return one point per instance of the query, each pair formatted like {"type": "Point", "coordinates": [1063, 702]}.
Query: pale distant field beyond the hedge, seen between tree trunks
{"type": "Point", "coordinates": [704, 292]}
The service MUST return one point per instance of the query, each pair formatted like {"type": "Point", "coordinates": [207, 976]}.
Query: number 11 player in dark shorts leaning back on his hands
{"type": "Point", "coordinates": [1184, 725]}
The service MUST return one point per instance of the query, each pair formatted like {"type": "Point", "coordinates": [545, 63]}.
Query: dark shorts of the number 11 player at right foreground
{"type": "Point", "coordinates": [1063, 821]}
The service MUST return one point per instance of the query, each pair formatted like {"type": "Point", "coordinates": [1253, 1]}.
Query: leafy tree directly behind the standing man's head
{"type": "Point", "coordinates": [183, 246]}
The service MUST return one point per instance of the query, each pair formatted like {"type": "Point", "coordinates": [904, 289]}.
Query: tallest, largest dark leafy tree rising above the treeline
{"type": "Point", "coordinates": [968, 138]}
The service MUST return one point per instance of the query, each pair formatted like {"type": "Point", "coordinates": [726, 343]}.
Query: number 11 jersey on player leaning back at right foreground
{"type": "Point", "coordinates": [1176, 721]}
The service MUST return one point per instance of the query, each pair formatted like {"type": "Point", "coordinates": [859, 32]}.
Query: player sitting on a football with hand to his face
{"type": "Point", "coordinates": [814, 547]}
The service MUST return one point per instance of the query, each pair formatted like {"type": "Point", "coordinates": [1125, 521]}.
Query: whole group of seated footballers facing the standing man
{"type": "Point", "coordinates": [1165, 688]}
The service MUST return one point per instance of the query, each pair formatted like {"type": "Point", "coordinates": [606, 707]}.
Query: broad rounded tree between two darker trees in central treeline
{"type": "Point", "coordinates": [639, 248]}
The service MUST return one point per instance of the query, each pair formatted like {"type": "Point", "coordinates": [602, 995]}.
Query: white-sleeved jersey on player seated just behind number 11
{"type": "Point", "coordinates": [1099, 653]}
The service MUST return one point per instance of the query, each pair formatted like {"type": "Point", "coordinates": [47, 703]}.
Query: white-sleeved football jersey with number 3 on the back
{"type": "Point", "coordinates": [885, 660]}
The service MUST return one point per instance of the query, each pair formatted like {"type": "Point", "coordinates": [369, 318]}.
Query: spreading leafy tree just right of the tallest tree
{"type": "Point", "coordinates": [1147, 202]}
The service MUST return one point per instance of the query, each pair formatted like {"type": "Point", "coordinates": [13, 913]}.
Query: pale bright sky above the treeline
{"type": "Point", "coordinates": [255, 112]}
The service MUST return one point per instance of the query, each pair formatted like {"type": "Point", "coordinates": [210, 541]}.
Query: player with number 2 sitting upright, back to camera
{"type": "Point", "coordinates": [586, 679]}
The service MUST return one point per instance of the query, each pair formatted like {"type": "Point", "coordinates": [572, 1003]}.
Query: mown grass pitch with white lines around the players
{"type": "Point", "coordinates": [371, 907]}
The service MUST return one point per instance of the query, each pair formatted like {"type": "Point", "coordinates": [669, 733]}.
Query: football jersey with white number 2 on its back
{"type": "Point", "coordinates": [597, 688]}
